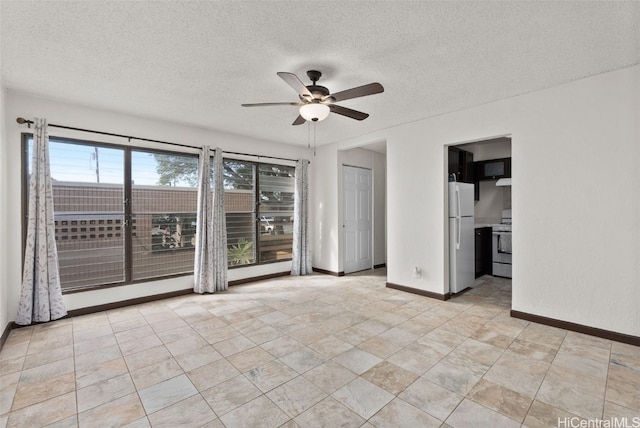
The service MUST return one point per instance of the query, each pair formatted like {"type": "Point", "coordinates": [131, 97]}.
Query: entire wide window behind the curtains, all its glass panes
{"type": "Point", "coordinates": [124, 214]}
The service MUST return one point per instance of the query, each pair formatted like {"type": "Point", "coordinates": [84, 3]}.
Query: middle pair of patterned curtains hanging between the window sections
{"type": "Point", "coordinates": [210, 266]}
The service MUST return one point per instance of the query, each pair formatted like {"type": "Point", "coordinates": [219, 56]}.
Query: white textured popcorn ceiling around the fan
{"type": "Point", "coordinates": [195, 62]}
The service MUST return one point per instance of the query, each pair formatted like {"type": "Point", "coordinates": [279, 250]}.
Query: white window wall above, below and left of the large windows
{"type": "Point", "coordinates": [20, 104]}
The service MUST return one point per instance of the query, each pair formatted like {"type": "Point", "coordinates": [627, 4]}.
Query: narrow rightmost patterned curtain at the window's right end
{"type": "Point", "coordinates": [301, 263]}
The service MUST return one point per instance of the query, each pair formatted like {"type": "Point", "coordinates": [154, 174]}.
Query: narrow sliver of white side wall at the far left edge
{"type": "Point", "coordinates": [4, 224]}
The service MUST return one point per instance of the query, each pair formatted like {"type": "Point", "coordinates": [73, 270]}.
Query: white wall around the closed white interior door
{"type": "Point", "coordinates": [376, 162]}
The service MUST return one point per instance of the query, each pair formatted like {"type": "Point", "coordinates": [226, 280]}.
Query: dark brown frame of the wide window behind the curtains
{"type": "Point", "coordinates": [127, 207]}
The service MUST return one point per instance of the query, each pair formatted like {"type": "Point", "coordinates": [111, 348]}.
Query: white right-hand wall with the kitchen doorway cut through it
{"type": "Point", "coordinates": [576, 205]}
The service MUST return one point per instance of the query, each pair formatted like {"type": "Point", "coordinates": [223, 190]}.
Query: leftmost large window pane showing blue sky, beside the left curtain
{"type": "Point", "coordinates": [88, 190]}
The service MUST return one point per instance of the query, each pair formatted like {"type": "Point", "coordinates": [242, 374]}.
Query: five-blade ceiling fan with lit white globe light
{"type": "Point", "coordinates": [316, 102]}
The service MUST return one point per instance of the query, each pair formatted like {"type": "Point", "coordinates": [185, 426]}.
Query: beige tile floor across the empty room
{"type": "Point", "coordinates": [314, 352]}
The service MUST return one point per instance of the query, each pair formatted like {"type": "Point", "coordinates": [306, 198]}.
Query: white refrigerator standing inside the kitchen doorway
{"type": "Point", "coordinates": [461, 237]}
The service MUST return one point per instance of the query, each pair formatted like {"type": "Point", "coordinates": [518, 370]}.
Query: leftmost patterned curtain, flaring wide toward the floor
{"type": "Point", "coordinates": [41, 295]}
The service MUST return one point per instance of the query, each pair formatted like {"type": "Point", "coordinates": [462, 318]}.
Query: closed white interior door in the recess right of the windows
{"type": "Point", "coordinates": [358, 207]}
